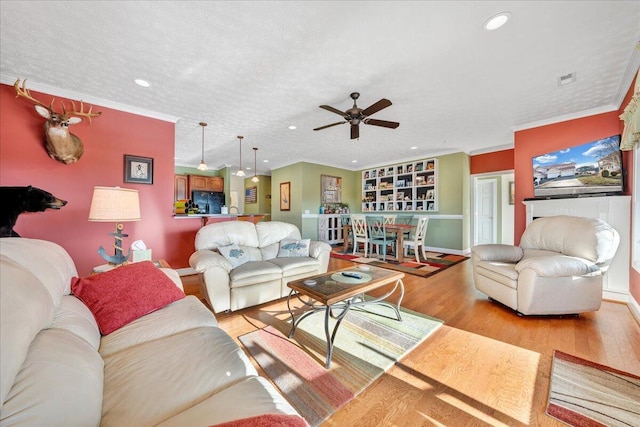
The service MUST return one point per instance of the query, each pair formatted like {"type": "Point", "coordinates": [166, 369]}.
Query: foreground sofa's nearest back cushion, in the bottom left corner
{"type": "Point", "coordinates": [60, 383]}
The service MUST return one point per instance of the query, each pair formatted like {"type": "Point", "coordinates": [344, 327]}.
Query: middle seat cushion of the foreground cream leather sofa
{"type": "Point", "coordinates": [151, 382]}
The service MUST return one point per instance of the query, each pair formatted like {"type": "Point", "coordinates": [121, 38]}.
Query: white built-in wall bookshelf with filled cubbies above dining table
{"type": "Point", "coordinates": [402, 187]}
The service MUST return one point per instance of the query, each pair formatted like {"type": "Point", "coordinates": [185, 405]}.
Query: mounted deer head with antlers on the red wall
{"type": "Point", "coordinates": [61, 144]}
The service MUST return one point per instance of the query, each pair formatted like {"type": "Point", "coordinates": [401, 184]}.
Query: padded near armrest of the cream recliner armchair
{"type": "Point", "coordinates": [559, 266]}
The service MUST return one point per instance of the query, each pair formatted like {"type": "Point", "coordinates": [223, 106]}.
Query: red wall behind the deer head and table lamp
{"type": "Point", "coordinates": [24, 161]}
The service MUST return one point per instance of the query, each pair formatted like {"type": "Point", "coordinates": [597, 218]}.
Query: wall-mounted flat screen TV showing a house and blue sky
{"type": "Point", "coordinates": [594, 168]}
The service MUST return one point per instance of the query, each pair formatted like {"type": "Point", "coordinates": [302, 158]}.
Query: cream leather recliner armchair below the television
{"type": "Point", "coordinates": [557, 269]}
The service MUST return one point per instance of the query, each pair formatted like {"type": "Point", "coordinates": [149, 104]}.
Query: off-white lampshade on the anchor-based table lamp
{"type": "Point", "coordinates": [114, 204]}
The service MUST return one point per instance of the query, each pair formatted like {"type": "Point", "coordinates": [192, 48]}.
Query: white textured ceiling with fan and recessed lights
{"type": "Point", "coordinates": [254, 68]}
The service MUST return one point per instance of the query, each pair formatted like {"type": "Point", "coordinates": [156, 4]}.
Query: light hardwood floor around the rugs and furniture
{"type": "Point", "coordinates": [485, 366]}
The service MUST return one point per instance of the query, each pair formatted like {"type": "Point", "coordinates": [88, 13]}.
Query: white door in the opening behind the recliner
{"type": "Point", "coordinates": [485, 212]}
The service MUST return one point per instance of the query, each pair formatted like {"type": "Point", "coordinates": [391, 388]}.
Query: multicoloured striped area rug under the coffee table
{"type": "Point", "coordinates": [365, 347]}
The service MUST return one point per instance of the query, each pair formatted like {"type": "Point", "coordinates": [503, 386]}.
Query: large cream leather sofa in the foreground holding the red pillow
{"type": "Point", "coordinates": [171, 367]}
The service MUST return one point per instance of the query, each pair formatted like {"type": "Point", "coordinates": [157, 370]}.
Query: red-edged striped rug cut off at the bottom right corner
{"type": "Point", "coordinates": [584, 393]}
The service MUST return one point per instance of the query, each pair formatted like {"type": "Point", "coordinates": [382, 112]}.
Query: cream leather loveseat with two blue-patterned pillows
{"type": "Point", "coordinates": [265, 276]}
